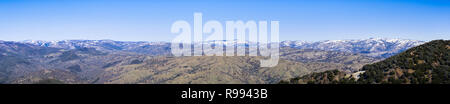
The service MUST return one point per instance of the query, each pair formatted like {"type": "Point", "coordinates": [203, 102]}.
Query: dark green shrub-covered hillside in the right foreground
{"type": "Point", "coordinates": [424, 64]}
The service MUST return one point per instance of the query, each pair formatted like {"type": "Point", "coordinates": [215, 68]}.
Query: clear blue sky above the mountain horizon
{"type": "Point", "coordinates": [309, 20]}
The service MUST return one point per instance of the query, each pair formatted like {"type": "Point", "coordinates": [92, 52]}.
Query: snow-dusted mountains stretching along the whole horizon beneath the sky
{"type": "Point", "coordinates": [374, 47]}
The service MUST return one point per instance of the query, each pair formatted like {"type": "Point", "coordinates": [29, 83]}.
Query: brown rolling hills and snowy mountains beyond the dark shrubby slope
{"type": "Point", "coordinates": [107, 61]}
